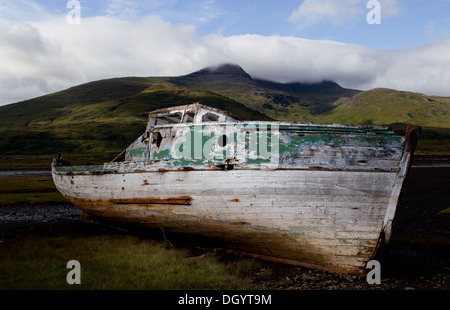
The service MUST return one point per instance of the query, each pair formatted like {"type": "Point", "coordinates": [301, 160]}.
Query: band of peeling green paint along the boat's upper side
{"type": "Point", "coordinates": [260, 143]}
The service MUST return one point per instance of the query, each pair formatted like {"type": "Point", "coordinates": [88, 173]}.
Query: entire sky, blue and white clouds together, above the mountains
{"type": "Point", "coordinates": [292, 40]}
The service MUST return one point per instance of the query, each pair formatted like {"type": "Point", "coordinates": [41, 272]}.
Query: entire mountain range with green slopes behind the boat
{"type": "Point", "coordinates": [107, 115]}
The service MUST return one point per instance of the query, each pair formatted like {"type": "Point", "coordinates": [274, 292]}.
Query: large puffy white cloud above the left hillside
{"type": "Point", "coordinates": [59, 55]}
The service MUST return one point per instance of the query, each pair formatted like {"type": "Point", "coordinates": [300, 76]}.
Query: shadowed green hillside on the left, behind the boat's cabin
{"type": "Point", "coordinates": [104, 116]}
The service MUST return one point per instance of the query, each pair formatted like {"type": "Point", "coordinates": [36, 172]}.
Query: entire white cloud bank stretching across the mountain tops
{"type": "Point", "coordinates": [46, 56]}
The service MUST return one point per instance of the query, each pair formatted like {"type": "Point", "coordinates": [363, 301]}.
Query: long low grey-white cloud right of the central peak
{"type": "Point", "coordinates": [421, 69]}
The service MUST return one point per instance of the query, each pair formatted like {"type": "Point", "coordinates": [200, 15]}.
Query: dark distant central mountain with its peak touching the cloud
{"type": "Point", "coordinates": [281, 101]}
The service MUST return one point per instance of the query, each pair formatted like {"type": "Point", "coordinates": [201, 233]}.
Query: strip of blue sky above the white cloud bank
{"type": "Point", "coordinates": [403, 23]}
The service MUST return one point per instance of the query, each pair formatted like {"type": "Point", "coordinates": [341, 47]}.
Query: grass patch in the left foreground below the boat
{"type": "Point", "coordinates": [117, 262]}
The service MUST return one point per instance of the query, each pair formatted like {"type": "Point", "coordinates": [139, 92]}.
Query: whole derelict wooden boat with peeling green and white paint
{"type": "Point", "coordinates": [315, 195]}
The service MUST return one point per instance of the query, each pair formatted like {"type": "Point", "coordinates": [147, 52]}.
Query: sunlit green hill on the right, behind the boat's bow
{"type": "Point", "coordinates": [383, 106]}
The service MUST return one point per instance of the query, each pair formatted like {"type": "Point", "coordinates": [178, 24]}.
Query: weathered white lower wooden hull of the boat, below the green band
{"type": "Point", "coordinates": [330, 220]}
